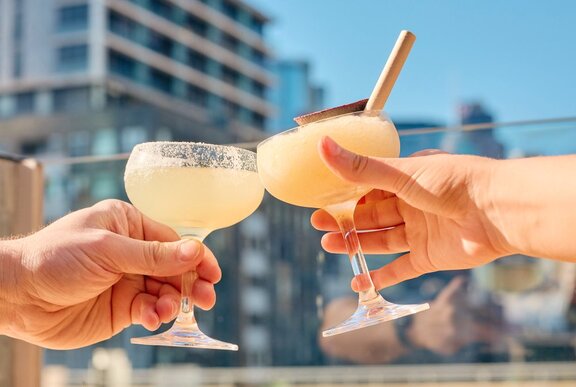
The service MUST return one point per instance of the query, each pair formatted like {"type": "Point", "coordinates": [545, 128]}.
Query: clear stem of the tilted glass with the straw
{"type": "Point", "coordinates": [344, 216]}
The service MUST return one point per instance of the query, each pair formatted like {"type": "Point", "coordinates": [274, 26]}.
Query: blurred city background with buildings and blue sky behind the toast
{"type": "Point", "coordinates": [83, 81]}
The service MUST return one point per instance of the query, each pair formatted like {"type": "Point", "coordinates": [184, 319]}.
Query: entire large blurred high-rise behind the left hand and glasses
{"type": "Point", "coordinates": [90, 79]}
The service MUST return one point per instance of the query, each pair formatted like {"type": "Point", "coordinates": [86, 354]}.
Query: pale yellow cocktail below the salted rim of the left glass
{"type": "Point", "coordinates": [187, 198]}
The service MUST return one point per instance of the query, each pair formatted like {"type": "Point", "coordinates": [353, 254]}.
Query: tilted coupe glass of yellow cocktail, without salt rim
{"type": "Point", "coordinates": [290, 168]}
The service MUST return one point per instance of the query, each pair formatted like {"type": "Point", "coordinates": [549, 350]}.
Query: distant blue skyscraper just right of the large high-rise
{"type": "Point", "coordinates": [294, 94]}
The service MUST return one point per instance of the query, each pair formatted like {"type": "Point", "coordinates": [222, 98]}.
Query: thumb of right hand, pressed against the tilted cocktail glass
{"type": "Point", "coordinates": [381, 173]}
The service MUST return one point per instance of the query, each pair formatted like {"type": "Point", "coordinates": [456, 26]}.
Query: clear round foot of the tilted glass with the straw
{"type": "Point", "coordinates": [374, 312]}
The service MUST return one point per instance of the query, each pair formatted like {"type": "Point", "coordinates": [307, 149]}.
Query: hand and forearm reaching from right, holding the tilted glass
{"type": "Point", "coordinates": [455, 211]}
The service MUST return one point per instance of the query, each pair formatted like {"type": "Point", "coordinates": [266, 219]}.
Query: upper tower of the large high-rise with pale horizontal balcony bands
{"type": "Point", "coordinates": [203, 59]}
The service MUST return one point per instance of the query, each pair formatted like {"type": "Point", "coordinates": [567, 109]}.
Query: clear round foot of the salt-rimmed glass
{"type": "Point", "coordinates": [184, 336]}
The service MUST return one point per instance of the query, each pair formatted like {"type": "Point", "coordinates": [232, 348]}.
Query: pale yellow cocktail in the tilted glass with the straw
{"type": "Point", "coordinates": [291, 169]}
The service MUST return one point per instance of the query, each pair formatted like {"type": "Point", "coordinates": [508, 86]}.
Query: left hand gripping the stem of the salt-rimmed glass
{"type": "Point", "coordinates": [93, 273]}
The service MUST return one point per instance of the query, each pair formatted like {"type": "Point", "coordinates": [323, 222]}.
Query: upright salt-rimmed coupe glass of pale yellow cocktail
{"type": "Point", "coordinates": [194, 188]}
